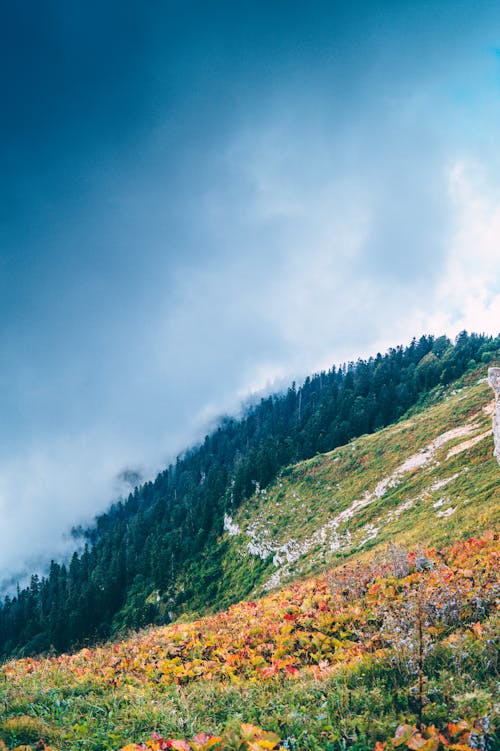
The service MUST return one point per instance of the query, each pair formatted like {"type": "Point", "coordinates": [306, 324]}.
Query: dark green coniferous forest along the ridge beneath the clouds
{"type": "Point", "coordinates": [153, 556]}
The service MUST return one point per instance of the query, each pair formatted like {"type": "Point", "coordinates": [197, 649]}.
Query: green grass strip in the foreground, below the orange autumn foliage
{"type": "Point", "coordinates": [351, 709]}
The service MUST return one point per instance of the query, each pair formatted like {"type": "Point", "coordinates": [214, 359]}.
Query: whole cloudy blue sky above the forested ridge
{"type": "Point", "coordinates": [203, 201]}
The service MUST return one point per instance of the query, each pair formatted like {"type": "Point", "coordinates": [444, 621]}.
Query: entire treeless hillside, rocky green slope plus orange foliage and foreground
{"type": "Point", "coordinates": [394, 645]}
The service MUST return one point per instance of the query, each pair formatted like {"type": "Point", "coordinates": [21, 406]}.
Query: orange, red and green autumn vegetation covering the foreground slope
{"type": "Point", "coordinates": [400, 652]}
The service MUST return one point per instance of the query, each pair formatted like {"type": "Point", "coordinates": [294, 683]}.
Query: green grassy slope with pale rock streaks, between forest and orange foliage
{"type": "Point", "coordinates": [447, 498]}
